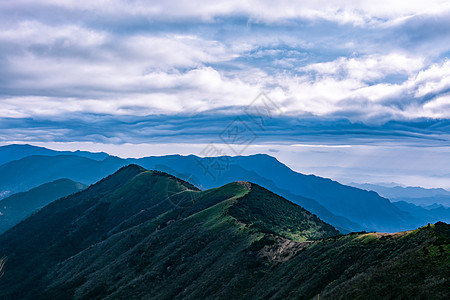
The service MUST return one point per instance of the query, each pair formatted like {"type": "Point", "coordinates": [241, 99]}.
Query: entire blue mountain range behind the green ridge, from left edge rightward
{"type": "Point", "coordinates": [347, 208]}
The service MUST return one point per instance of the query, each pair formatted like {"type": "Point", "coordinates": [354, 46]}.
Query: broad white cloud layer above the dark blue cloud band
{"type": "Point", "coordinates": [51, 68]}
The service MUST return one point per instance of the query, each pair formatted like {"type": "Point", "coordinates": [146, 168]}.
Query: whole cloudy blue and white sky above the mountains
{"type": "Point", "coordinates": [339, 73]}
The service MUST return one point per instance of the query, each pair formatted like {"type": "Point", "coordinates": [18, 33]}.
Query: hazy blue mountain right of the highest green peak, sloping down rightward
{"type": "Point", "coordinates": [366, 209]}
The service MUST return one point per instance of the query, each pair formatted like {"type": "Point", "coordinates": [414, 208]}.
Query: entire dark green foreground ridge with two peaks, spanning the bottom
{"type": "Point", "coordinates": [148, 235]}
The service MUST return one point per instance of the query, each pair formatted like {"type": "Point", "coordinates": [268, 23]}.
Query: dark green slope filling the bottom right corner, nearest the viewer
{"type": "Point", "coordinates": [407, 265]}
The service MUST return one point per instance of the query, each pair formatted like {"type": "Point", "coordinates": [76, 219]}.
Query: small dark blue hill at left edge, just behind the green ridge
{"type": "Point", "coordinates": [19, 206]}
